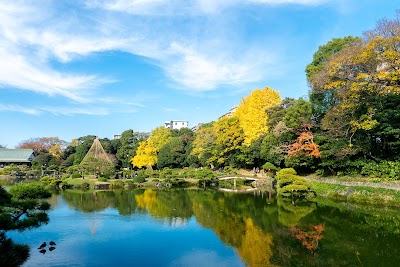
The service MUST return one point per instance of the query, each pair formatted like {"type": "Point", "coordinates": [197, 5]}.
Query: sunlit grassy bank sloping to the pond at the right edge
{"type": "Point", "coordinates": [358, 194]}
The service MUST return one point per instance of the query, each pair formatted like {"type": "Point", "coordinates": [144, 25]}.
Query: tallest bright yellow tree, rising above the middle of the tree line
{"type": "Point", "coordinates": [252, 115]}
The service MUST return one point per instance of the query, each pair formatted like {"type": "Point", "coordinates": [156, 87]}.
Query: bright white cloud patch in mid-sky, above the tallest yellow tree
{"type": "Point", "coordinates": [205, 71]}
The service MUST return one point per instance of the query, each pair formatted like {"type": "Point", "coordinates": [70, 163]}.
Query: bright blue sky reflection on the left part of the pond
{"type": "Point", "coordinates": [107, 239]}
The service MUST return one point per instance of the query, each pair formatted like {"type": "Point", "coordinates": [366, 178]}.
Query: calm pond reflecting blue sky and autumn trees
{"type": "Point", "coordinates": [210, 228]}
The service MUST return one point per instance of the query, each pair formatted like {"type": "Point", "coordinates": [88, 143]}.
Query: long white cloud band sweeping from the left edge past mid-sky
{"type": "Point", "coordinates": [32, 35]}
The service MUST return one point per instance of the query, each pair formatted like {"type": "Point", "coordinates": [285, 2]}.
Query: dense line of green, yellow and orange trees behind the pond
{"type": "Point", "coordinates": [349, 123]}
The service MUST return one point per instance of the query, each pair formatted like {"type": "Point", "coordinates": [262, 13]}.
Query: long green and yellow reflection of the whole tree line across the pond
{"type": "Point", "coordinates": [259, 227]}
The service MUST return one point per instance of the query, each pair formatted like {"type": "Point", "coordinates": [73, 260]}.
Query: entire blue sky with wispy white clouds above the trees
{"type": "Point", "coordinates": [73, 68]}
